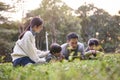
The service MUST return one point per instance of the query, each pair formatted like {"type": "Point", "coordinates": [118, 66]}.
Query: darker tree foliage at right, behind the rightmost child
{"type": "Point", "coordinates": [95, 20]}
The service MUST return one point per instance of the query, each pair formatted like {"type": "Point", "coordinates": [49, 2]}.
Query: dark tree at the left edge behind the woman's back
{"type": "Point", "coordinates": [8, 33]}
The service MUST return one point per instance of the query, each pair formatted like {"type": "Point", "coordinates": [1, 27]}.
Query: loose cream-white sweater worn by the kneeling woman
{"type": "Point", "coordinates": [26, 47]}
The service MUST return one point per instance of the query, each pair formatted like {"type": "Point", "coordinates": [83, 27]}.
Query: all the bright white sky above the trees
{"type": "Point", "coordinates": [108, 5]}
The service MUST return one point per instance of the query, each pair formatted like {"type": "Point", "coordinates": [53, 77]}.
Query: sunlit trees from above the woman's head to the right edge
{"type": "Point", "coordinates": [59, 21]}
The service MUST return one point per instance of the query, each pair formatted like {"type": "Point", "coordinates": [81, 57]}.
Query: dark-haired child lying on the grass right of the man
{"type": "Point", "coordinates": [94, 50]}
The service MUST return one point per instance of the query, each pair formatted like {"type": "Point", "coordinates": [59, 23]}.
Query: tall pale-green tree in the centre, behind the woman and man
{"type": "Point", "coordinates": [58, 20]}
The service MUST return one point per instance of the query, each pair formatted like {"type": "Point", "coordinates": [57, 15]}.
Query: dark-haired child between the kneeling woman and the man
{"type": "Point", "coordinates": [55, 53]}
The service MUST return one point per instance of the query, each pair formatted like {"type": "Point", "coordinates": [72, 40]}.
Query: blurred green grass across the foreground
{"type": "Point", "coordinates": [106, 68]}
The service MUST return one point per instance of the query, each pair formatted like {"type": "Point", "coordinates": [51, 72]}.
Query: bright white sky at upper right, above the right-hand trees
{"type": "Point", "coordinates": [110, 6]}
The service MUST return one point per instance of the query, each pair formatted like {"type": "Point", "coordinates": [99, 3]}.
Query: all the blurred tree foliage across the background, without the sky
{"type": "Point", "coordinates": [59, 20]}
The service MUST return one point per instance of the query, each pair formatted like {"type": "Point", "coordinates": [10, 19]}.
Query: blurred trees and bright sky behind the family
{"type": "Point", "coordinates": [88, 18]}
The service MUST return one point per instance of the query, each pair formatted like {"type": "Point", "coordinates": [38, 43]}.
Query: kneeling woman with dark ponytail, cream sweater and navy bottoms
{"type": "Point", "coordinates": [25, 51]}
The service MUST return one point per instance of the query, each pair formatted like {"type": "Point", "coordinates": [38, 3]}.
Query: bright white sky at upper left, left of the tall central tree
{"type": "Point", "coordinates": [22, 9]}
